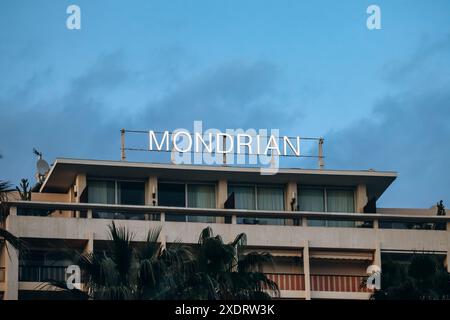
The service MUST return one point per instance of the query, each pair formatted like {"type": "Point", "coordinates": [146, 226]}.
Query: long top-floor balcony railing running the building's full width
{"type": "Point", "coordinates": [233, 216]}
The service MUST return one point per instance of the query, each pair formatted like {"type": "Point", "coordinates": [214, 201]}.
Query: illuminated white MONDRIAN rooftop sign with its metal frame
{"type": "Point", "coordinates": [233, 146]}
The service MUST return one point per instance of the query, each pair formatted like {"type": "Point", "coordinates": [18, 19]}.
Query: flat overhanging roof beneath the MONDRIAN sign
{"type": "Point", "coordinates": [63, 172]}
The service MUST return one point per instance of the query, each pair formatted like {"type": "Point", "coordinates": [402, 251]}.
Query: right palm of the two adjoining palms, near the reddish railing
{"type": "Point", "coordinates": [222, 271]}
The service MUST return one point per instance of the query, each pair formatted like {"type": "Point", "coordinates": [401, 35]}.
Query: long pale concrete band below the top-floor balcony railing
{"type": "Point", "coordinates": [257, 235]}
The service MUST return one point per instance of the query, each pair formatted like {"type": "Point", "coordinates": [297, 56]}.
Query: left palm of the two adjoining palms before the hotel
{"type": "Point", "coordinates": [131, 272]}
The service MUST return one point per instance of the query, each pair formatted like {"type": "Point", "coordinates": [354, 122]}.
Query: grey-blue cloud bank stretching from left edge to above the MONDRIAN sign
{"type": "Point", "coordinates": [83, 119]}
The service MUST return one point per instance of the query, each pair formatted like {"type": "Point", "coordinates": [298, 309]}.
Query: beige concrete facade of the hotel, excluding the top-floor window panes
{"type": "Point", "coordinates": [311, 262]}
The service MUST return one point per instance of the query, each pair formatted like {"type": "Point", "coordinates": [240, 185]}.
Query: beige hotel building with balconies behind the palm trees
{"type": "Point", "coordinates": [323, 227]}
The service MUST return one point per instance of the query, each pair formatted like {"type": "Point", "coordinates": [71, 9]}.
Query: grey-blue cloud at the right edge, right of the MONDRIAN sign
{"type": "Point", "coordinates": [408, 131]}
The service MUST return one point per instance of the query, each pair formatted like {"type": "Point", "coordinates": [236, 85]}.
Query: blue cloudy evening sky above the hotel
{"type": "Point", "coordinates": [380, 98]}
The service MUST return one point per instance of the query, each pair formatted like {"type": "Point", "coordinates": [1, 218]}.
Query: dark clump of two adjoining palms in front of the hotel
{"type": "Point", "coordinates": [213, 270]}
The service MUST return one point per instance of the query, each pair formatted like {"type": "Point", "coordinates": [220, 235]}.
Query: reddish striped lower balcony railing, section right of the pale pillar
{"type": "Point", "coordinates": [339, 283]}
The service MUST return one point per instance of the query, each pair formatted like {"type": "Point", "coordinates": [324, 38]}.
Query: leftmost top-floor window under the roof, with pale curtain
{"type": "Point", "coordinates": [116, 192]}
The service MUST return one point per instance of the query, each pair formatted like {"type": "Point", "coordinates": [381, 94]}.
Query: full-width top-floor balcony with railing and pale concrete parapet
{"type": "Point", "coordinates": [79, 220]}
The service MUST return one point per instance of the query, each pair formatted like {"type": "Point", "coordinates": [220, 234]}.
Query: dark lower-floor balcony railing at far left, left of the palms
{"type": "Point", "coordinates": [32, 273]}
